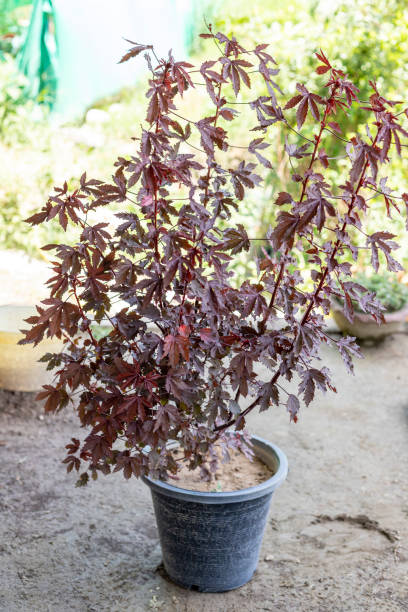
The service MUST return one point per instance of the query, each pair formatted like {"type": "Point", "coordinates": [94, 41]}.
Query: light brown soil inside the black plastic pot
{"type": "Point", "coordinates": [238, 473]}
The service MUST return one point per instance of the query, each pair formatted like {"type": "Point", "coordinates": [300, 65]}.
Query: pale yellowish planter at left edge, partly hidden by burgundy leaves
{"type": "Point", "coordinates": [20, 369]}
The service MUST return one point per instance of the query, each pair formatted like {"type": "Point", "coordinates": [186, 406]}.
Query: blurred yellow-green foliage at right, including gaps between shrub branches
{"type": "Point", "coordinates": [361, 38]}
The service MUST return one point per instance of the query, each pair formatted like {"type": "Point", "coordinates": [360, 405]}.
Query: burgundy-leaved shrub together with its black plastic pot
{"type": "Point", "coordinates": [178, 364]}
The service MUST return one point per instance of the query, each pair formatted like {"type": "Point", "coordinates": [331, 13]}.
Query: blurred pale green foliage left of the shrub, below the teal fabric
{"type": "Point", "coordinates": [36, 154]}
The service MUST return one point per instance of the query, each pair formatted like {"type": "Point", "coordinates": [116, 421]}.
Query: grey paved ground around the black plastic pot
{"type": "Point", "coordinates": [65, 549]}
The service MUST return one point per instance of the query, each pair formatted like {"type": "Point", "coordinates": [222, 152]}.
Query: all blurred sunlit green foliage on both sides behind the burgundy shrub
{"type": "Point", "coordinates": [362, 38]}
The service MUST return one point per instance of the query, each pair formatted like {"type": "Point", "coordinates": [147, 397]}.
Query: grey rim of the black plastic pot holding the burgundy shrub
{"type": "Point", "coordinates": [205, 497]}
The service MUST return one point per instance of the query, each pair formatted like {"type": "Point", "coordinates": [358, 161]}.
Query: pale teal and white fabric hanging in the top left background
{"type": "Point", "coordinates": [72, 49]}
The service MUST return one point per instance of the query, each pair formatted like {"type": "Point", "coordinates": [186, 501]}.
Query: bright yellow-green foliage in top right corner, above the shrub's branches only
{"type": "Point", "coordinates": [364, 38]}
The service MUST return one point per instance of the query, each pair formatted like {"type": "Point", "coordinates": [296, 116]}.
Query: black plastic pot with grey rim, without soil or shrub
{"type": "Point", "coordinates": [210, 541]}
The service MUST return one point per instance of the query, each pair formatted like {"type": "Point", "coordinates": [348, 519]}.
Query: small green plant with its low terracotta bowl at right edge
{"type": "Point", "coordinates": [392, 294]}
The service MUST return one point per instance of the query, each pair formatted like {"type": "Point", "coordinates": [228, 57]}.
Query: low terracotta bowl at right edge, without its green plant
{"type": "Point", "coordinates": [364, 325]}
